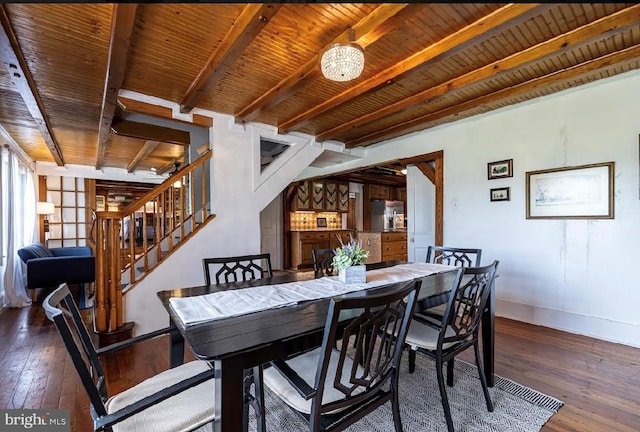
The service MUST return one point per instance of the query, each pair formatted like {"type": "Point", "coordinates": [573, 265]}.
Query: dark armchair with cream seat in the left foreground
{"type": "Point", "coordinates": [176, 399]}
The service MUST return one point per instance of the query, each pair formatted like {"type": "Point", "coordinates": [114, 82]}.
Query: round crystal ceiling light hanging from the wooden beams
{"type": "Point", "coordinates": [342, 62]}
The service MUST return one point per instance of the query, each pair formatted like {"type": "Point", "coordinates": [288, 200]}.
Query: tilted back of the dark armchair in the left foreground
{"type": "Point", "coordinates": [61, 308]}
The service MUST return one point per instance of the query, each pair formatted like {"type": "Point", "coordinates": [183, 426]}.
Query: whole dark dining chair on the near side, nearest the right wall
{"type": "Point", "coordinates": [457, 331]}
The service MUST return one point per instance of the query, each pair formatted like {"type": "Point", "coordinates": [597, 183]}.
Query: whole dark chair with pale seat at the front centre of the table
{"type": "Point", "coordinates": [334, 386]}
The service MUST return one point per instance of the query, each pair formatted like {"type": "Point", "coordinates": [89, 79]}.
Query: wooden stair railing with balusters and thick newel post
{"type": "Point", "coordinates": [132, 242]}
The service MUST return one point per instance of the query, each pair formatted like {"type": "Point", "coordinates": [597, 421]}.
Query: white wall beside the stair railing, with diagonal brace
{"type": "Point", "coordinates": [240, 192]}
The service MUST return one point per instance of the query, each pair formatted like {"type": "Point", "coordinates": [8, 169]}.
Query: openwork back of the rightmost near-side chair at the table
{"type": "Point", "coordinates": [467, 302]}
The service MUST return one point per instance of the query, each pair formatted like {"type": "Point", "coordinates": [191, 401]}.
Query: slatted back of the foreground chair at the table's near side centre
{"type": "Point", "coordinates": [379, 329]}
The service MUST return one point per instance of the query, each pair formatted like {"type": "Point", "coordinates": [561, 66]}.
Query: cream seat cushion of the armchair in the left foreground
{"type": "Point", "coordinates": [182, 412]}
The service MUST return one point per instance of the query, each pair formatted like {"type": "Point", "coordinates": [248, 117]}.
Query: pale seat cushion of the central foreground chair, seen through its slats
{"type": "Point", "coordinates": [306, 366]}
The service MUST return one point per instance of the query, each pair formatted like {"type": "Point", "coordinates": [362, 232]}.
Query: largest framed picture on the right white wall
{"type": "Point", "coordinates": [577, 192]}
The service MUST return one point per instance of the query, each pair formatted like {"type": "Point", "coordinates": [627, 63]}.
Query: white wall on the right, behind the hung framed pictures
{"type": "Point", "coordinates": [575, 275]}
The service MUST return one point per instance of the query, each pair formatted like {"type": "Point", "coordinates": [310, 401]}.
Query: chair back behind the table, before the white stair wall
{"type": "Point", "coordinates": [238, 268]}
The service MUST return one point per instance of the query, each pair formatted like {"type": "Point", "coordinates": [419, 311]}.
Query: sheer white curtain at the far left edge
{"type": "Point", "coordinates": [19, 228]}
